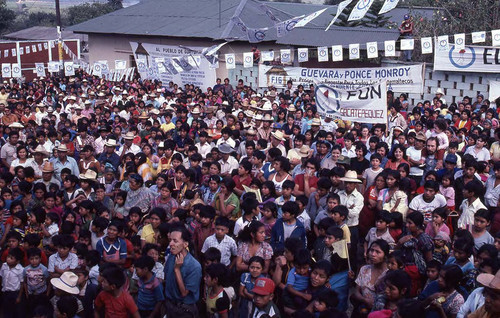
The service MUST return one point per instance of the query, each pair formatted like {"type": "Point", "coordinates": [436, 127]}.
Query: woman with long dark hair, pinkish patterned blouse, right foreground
{"type": "Point", "coordinates": [370, 279]}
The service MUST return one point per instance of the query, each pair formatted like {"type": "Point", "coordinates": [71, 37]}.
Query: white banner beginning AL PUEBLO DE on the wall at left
{"type": "Point", "coordinates": [204, 76]}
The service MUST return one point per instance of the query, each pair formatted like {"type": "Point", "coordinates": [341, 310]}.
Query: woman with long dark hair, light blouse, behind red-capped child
{"type": "Point", "coordinates": [252, 243]}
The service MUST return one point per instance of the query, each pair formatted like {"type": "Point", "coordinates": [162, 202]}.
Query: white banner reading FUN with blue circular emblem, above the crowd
{"type": "Point", "coordinates": [367, 104]}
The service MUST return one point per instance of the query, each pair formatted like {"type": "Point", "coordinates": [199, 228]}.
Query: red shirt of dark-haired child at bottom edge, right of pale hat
{"type": "Point", "coordinates": [116, 307]}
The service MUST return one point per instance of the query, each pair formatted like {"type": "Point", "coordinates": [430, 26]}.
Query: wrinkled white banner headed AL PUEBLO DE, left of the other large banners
{"type": "Point", "coordinates": [181, 66]}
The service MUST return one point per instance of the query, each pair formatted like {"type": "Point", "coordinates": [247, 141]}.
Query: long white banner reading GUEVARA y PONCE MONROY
{"type": "Point", "coordinates": [402, 79]}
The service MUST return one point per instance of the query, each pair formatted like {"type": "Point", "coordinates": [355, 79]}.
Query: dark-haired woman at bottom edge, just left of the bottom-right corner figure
{"type": "Point", "coordinates": [442, 295]}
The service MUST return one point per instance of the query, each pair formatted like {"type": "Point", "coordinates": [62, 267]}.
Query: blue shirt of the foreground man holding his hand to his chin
{"type": "Point", "coordinates": [191, 275]}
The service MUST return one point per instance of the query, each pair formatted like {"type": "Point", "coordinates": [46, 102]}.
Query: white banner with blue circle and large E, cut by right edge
{"type": "Point", "coordinates": [470, 59]}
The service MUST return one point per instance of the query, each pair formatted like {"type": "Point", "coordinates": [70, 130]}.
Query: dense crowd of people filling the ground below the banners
{"type": "Point", "coordinates": [143, 198]}
